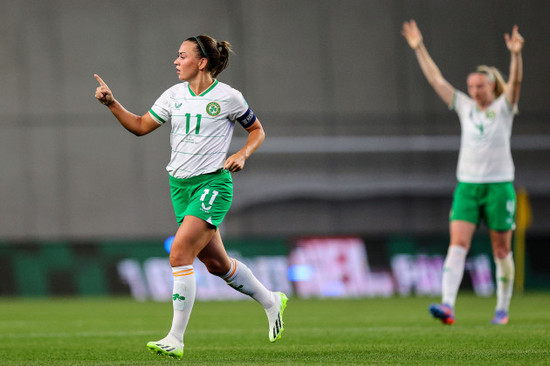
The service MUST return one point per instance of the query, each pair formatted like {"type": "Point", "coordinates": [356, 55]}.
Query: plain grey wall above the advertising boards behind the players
{"type": "Point", "coordinates": [308, 68]}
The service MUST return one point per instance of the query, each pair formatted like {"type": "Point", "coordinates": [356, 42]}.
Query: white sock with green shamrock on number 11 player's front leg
{"type": "Point", "coordinates": [183, 298]}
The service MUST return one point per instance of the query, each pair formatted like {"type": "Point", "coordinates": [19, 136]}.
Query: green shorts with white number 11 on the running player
{"type": "Point", "coordinates": [206, 196]}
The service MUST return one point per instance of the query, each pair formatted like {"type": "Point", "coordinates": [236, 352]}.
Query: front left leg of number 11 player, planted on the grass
{"type": "Point", "coordinates": [191, 237]}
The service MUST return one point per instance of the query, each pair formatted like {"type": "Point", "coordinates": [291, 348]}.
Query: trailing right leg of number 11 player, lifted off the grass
{"type": "Point", "coordinates": [240, 277]}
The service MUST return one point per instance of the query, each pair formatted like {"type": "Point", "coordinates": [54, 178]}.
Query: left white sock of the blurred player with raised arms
{"type": "Point", "coordinates": [453, 270]}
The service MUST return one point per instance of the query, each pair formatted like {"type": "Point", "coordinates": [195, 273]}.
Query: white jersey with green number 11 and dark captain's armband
{"type": "Point", "coordinates": [202, 126]}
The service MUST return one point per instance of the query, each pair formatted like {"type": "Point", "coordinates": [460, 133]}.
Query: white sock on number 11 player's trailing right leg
{"type": "Point", "coordinates": [241, 278]}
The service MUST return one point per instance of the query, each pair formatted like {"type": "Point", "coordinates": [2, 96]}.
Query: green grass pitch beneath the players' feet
{"type": "Point", "coordinates": [317, 332]}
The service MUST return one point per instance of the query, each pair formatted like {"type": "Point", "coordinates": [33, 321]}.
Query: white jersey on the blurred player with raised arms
{"type": "Point", "coordinates": [485, 154]}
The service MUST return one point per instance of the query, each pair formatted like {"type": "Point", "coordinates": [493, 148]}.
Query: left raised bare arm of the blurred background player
{"type": "Point", "coordinates": [413, 36]}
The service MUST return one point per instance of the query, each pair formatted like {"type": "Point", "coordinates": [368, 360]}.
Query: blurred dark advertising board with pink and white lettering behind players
{"type": "Point", "coordinates": [333, 266]}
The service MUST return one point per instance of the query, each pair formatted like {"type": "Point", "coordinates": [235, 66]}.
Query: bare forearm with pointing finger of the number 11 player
{"type": "Point", "coordinates": [138, 125]}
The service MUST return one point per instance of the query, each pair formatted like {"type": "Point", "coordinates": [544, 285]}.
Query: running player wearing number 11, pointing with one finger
{"type": "Point", "coordinates": [203, 112]}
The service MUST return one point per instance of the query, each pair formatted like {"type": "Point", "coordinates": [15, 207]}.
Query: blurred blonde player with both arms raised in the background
{"type": "Point", "coordinates": [485, 170]}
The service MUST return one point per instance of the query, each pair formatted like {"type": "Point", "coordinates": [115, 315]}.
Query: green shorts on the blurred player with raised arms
{"type": "Point", "coordinates": [493, 203]}
